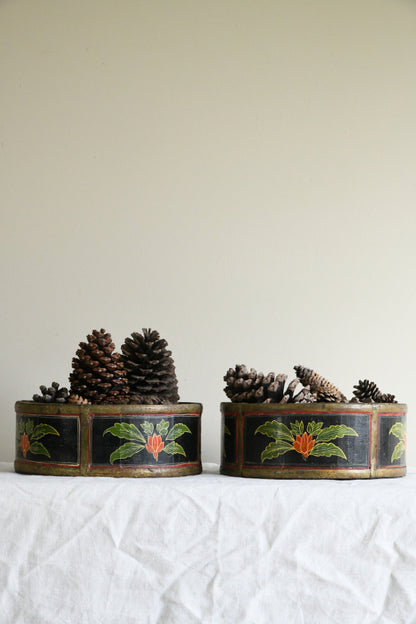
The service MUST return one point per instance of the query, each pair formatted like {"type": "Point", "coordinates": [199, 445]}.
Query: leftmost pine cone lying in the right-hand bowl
{"type": "Point", "coordinates": [247, 386]}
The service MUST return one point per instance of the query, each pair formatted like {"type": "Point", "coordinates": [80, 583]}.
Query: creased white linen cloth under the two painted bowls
{"type": "Point", "coordinates": [206, 549]}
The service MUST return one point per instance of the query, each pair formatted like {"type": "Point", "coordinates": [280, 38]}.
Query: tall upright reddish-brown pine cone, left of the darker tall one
{"type": "Point", "coordinates": [98, 373]}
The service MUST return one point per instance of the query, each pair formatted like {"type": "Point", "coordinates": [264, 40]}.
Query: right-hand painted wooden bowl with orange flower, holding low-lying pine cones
{"type": "Point", "coordinates": [314, 440]}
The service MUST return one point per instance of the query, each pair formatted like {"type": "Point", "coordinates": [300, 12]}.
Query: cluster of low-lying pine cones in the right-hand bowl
{"type": "Point", "coordinates": [249, 386]}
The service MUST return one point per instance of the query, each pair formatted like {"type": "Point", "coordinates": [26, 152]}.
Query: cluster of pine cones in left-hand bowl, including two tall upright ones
{"type": "Point", "coordinates": [144, 372]}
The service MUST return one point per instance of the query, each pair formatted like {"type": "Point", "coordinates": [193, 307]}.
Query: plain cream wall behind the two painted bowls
{"type": "Point", "coordinates": [239, 175]}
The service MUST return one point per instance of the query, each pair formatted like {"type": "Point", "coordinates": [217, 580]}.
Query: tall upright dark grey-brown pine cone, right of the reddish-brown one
{"type": "Point", "coordinates": [150, 369]}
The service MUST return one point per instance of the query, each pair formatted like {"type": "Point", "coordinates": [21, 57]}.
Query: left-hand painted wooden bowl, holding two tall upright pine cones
{"type": "Point", "coordinates": [108, 440]}
